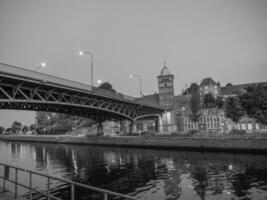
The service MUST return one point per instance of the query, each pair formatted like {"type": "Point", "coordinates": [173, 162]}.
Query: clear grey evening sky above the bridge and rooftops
{"type": "Point", "coordinates": [222, 39]}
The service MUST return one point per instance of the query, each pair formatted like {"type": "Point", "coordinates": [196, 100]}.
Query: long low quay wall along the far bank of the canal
{"type": "Point", "coordinates": [246, 144]}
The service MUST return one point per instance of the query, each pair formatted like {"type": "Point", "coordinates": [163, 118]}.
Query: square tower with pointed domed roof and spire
{"type": "Point", "coordinates": [166, 88]}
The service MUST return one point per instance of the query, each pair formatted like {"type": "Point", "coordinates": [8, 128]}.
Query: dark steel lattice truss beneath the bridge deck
{"type": "Point", "coordinates": [24, 94]}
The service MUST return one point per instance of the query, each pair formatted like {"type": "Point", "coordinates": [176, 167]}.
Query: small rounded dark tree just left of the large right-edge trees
{"type": "Point", "coordinates": [233, 109]}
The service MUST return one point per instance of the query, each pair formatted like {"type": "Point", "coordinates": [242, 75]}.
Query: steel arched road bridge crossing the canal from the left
{"type": "Point", "coordinates": [23, 89]}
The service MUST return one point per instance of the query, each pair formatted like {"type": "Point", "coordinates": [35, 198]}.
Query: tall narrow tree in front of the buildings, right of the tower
{"type": "Point", "coordinates": [194, 102]}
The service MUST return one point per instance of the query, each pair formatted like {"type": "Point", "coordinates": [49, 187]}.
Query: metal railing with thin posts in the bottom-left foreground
{"type": "Point", "coordinates": [47, 193]}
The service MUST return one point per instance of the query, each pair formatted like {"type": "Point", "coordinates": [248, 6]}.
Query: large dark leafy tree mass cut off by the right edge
{"type": "Point", "coordinates": [254, 102]}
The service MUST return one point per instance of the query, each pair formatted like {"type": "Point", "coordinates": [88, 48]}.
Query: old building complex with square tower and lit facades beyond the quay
{"type": "Point", "coordinates": [178, 115]}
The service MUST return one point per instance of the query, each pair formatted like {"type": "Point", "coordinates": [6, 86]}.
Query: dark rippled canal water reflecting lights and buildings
{"type": "Point", "coordinates": [146, 174]}
